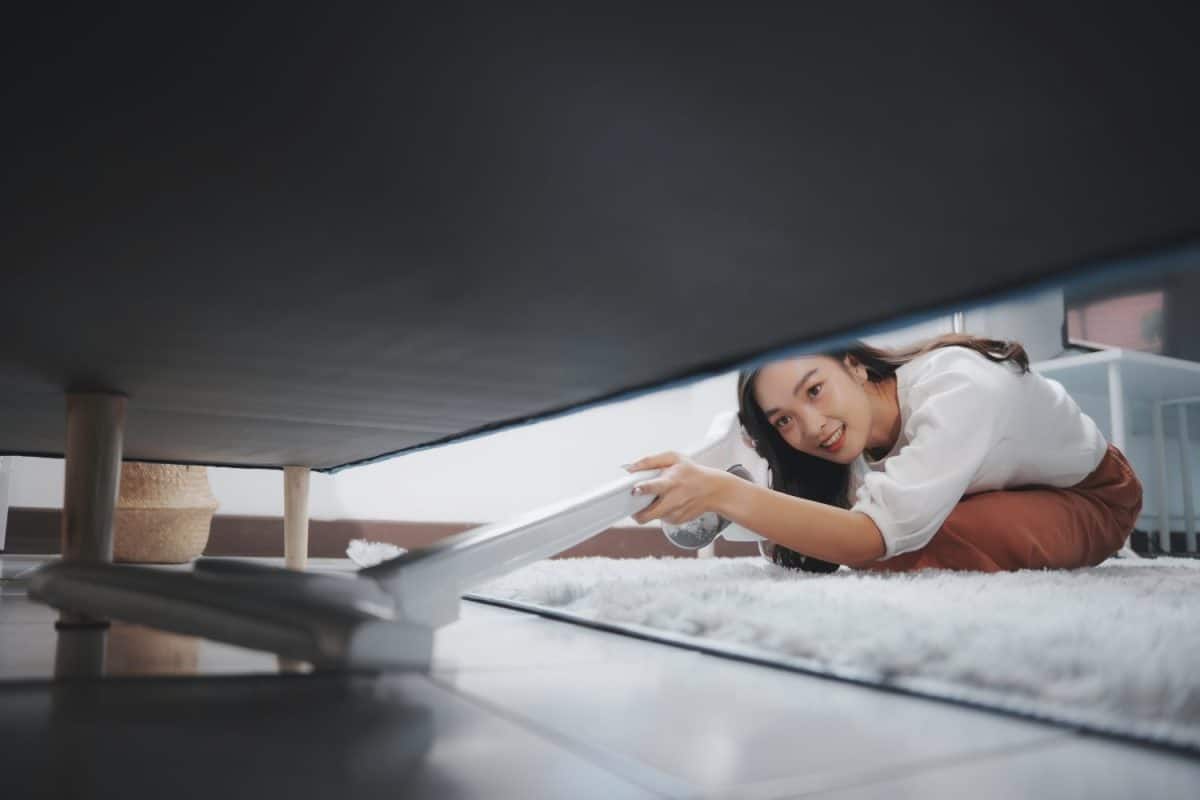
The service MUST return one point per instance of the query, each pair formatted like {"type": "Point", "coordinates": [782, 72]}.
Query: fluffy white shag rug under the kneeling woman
{"type": "Point", "coordinates": [1114, 648]}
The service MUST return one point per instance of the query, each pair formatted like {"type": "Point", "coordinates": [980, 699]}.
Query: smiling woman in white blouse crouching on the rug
{"type": "Point", "coordinates": [949, 455]}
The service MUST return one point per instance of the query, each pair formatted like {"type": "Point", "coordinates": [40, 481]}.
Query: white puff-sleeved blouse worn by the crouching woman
{"type": "Point", "coordinates": [970, 425]}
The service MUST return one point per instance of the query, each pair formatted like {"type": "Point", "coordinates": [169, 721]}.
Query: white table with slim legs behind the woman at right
{"type": "Point", "coordinates": [1129, 377]}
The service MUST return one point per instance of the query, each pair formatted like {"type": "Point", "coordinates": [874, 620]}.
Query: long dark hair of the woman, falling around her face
{"type": "Point", "coordinates": [815, 479]}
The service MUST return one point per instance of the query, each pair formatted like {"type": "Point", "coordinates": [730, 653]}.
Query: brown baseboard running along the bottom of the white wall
{"type": "Point", "coordinates": [38, 531]}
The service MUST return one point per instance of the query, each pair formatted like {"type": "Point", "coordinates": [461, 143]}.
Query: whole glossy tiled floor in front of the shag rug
{"type": "Point", "coordinates": [517, 706]}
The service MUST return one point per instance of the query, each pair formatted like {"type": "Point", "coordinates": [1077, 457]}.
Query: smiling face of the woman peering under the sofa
{"type": "Point", "coordinates": [818, 406]}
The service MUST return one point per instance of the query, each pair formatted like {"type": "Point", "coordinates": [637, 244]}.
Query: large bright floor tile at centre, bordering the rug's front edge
{"type": "Point", "coordinates": [719, 725]}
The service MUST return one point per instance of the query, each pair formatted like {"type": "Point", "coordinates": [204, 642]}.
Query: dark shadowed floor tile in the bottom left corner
{"type": "Point", "coordinates": [299, 737]}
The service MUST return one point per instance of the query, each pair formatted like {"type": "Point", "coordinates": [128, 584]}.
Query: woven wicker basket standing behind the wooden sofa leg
{"type": "Point", "coordinates": [164, 514]}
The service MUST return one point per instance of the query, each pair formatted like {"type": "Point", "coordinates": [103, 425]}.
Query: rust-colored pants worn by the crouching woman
{"type": "Point", "coordinates": [1036, 527]}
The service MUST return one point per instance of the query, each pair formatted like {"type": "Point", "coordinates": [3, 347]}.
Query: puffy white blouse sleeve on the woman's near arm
{"type": "Point", "coordinates": [952, 426]}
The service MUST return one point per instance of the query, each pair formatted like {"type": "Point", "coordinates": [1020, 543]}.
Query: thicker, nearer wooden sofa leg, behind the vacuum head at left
{"type": "Point", "coordinates": [93, 478]}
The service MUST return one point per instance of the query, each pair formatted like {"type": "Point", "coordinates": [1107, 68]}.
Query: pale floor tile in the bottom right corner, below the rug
{"type": "Point", "coordinates": [1082, 768]}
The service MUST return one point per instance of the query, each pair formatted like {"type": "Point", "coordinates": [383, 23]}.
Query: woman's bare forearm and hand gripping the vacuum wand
{"type": "Point", "coordinates": [686, 491]}
